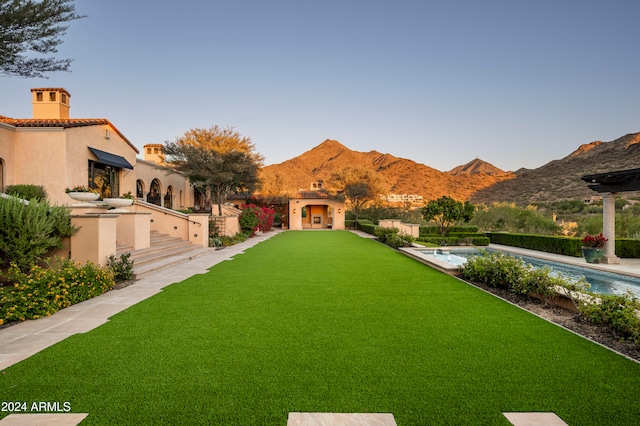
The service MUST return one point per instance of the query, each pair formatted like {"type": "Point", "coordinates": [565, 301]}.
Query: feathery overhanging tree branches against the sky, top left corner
{"type": "Point", "coordinates": [27, 27]}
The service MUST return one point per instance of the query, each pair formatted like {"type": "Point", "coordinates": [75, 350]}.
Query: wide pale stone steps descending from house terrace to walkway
{"type": "Point", "coordinates": [164, 252]}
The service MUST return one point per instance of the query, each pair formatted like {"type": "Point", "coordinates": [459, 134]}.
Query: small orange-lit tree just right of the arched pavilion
{"type": "Point", "coordinates": [358, 186]}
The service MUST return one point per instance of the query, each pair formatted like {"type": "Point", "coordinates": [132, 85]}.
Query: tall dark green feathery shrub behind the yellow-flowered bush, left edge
{"type": "Point", "coordinates": [28, 231]}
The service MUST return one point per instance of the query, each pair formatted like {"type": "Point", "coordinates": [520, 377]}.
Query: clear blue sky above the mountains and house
{"type": "Point", "coordinates": [515, 83]}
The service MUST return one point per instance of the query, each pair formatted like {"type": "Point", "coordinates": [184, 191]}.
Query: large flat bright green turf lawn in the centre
{"type": "Point", "coordinates": [327, 322]}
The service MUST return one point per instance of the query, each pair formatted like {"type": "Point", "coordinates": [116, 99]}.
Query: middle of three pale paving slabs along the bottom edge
{"type": "Point", "coordinates": [341, 419]}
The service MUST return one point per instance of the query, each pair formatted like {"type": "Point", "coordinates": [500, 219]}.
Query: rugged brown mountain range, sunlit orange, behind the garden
{"type": "Point", "coordinates": [478, 180]}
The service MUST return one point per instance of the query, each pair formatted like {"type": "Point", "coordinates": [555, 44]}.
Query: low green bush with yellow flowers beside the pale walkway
{"type": "Point", "coordinates": [43, 291]}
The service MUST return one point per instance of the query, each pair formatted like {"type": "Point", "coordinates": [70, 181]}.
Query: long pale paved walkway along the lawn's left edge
{"type": "Point", "coordinates": [25, 339]}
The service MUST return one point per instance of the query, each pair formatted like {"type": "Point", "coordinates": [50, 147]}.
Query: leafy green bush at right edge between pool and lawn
{"type": "Point", "coordinates": [618, 312]}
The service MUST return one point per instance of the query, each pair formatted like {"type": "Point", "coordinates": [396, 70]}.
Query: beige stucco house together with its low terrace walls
{"type": "Point", "coordinates": [57, 152]}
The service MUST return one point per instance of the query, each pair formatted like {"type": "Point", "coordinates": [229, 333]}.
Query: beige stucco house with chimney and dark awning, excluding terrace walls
{"type": "Point", "coordinates": [56, 151]}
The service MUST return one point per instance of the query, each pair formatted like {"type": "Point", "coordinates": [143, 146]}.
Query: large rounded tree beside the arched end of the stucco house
{"type": "Point", "coordinates": [217, 161]}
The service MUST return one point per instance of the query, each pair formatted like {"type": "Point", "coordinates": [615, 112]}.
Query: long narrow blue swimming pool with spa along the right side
{"type": "Point", "coordinates": [600, 281]}
